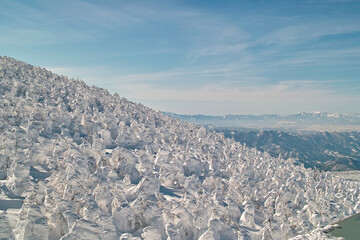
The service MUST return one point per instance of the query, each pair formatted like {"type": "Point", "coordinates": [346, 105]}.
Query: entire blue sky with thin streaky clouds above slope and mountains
{"type": "Point", "coordinates": [208, 57]}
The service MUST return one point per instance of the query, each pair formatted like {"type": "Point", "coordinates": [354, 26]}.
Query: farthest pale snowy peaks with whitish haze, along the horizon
{"type": "Point", "coordinates": [314, 121]}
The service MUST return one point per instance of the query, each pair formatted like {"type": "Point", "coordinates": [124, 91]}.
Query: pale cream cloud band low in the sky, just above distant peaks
{"type": "Point", "coordinates": [285, 97]}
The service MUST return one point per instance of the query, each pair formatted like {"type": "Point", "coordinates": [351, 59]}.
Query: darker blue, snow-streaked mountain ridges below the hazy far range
{"type": "Point", "coordinates": [330, 151]}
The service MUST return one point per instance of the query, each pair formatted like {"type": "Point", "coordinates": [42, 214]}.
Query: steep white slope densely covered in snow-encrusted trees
{"type": "Point", "coordinates": [79, 163]}
